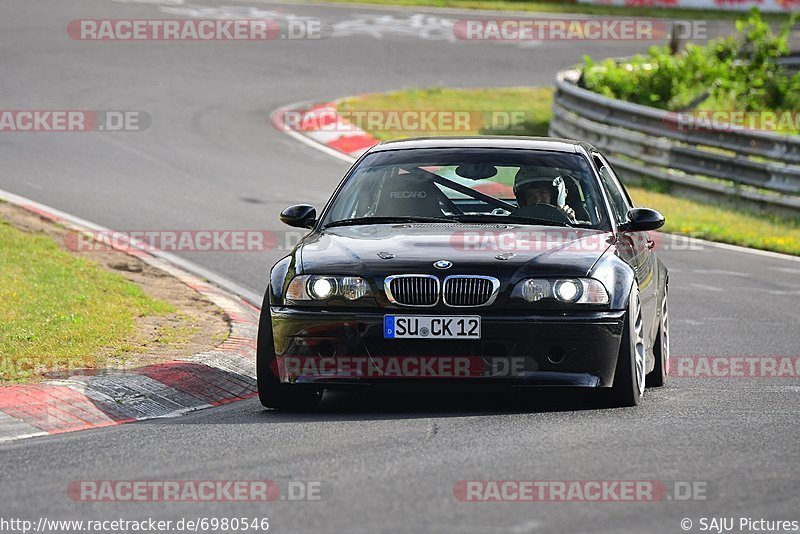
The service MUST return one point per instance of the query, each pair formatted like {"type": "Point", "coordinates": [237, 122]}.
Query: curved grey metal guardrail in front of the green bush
{"type": "Point", "coordinates": [646, 143]}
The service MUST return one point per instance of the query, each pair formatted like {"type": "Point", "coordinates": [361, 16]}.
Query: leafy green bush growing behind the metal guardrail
{"type": "Point", "coordinates": [737, 72]}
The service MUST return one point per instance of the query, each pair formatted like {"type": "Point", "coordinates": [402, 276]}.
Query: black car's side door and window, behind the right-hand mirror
{"type": "Point", "coordinates": [635, 248]}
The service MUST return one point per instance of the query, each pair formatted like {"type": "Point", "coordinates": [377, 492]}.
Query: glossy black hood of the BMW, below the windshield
{"type": "Point", "coordinates": [504, 251]}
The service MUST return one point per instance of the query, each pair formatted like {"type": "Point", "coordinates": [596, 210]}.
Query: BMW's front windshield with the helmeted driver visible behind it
{"type": "Point", "coordinates": [472, 185]}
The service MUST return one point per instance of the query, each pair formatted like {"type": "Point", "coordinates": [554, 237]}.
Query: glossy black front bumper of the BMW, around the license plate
{"type": "Point", "coordinates": [343, 349]}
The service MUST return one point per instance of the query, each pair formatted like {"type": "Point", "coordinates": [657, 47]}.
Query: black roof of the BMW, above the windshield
{"type": "Point", "coordinates": [514, 142]}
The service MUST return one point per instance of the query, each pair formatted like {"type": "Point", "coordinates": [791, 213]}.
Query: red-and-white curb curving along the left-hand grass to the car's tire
{"type": "Point", "coordinates": [219, 376]}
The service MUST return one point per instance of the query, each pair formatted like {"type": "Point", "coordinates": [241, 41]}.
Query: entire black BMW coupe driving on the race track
{"type": "Point", "coordinates": [469, 262]}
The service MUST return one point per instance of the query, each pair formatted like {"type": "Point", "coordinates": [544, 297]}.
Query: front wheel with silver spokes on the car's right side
{"type": "Point", "coordinates": [629, 377]}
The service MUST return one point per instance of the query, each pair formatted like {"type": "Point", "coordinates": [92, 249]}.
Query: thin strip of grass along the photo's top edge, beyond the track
{"type": "Point", "coordinates": [567, 7]}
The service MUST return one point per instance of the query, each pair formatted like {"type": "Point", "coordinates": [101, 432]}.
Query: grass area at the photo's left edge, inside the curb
{"type": "Point", "coordinates": [59, 311]}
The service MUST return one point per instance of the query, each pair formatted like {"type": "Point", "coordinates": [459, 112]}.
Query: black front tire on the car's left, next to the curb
{"type": "Point", "coordinates": [271, 391]}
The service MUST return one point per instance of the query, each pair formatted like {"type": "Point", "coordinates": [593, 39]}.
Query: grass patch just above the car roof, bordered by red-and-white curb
{"type": "Point", "coordinates": [502, 111]}
